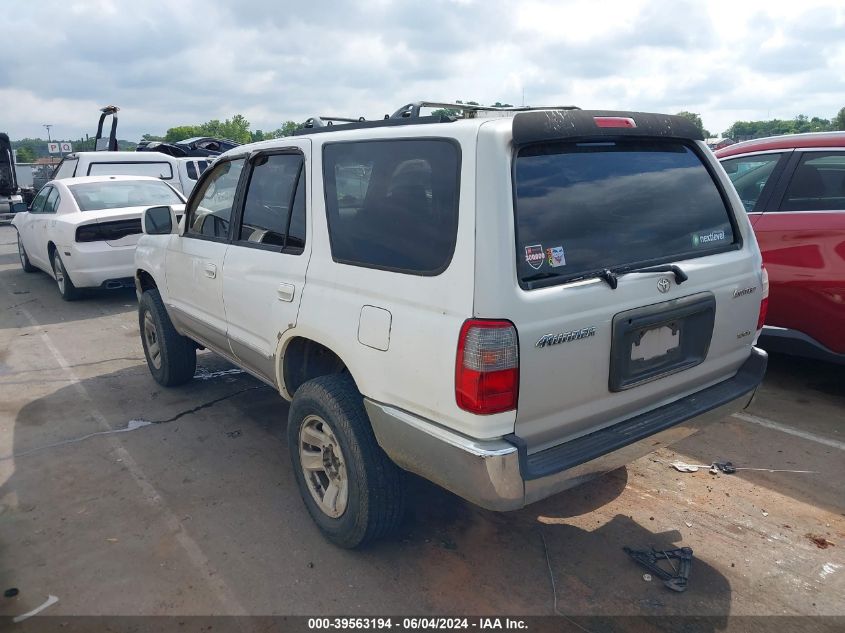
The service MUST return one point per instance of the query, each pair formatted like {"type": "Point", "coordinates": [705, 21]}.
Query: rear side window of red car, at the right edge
{"type": "Point", "coordinates": [818, 183]}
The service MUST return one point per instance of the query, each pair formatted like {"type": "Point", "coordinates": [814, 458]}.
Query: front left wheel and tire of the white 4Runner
{"type": "Point", "coordinates": [171, 357]}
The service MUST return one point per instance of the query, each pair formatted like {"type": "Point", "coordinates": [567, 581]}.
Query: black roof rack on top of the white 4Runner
{"type": "Point", "coordinates": [409, 114]}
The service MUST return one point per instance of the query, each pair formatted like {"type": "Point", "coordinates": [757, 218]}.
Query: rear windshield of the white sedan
{"type": "Point", "coordinates": [114, 194]}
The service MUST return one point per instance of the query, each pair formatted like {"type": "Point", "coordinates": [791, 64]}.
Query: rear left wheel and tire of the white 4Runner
{"type": "Point", "coordinates": [329, 431]}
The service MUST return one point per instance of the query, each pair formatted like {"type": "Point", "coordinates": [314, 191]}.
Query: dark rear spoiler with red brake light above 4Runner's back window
{"type": "Point", "coordinates": [550, 125]}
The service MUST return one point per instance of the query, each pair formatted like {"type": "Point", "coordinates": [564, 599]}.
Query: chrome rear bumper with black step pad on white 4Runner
{"type": "Point", "coordinates": [501, 475]}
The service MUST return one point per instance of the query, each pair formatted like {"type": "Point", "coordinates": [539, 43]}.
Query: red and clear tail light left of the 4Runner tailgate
{"type": "Point", "coordinates": [487, 367]}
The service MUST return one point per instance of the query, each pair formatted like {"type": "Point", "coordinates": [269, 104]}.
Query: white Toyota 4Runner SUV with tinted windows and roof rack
{"type": "Point", "coordinates": [507, 305]}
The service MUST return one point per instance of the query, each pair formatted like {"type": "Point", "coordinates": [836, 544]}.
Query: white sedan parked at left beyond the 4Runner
{"type": "Point", "coordinates": [83, 231]}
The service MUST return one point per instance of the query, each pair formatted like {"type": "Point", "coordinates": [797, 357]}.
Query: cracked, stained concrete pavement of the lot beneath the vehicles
{"type": "Point", "coordinates": [200, 515]}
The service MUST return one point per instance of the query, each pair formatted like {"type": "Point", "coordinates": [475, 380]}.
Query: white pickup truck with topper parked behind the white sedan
{"type": "Point", "coordinates": [181, 173]}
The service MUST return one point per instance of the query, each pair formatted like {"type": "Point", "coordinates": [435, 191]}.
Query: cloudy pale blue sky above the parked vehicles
{"type": "Point", "coordinates": [175, 62]}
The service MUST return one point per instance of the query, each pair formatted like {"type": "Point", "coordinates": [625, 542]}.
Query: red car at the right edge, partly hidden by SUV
{"type": "Point", "coordinates": [793, 188]}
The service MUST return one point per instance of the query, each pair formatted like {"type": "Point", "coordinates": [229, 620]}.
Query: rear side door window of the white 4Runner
{"type": "Point", "coordinates": [269, 200]}
